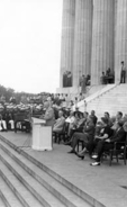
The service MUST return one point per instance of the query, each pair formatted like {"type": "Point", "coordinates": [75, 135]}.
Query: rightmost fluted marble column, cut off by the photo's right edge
{"type": "Point", "coordinates": [121, 38]}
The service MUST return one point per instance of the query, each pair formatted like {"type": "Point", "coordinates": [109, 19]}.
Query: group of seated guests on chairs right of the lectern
{"type": "Point", "coordinates": [97, 136]}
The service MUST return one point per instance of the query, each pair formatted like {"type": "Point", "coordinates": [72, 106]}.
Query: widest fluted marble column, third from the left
{"type": "Point", "coordinates": [102, 38]}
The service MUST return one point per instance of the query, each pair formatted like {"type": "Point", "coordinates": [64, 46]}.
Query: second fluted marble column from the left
{"type": "Point", "coordinates": [83, 39]}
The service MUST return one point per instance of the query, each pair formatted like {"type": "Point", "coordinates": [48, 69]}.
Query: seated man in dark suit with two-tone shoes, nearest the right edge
{"type": "Point", "coordinates": [107, 144]}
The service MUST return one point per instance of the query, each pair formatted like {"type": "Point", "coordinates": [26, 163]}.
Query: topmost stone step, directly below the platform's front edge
{"type": "Point", "coordinates": [86, 197]}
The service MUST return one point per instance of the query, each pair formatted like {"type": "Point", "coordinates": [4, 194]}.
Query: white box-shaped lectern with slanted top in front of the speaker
{"type": "Point", "coordinates": [41, 135]}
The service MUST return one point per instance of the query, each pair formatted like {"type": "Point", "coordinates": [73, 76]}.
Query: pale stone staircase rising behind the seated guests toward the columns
{"type": "Point", "coordinates": [107, 100]}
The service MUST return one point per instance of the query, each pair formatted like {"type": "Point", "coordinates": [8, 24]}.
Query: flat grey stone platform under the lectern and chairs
{"type": "Point", "coordinates": [104, 184]}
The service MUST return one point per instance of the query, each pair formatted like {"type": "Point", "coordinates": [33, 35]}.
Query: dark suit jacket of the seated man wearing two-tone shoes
{"type": "Point", "coordinates": [119, 136]}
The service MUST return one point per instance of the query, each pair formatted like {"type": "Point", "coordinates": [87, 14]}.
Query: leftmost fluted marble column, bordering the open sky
{"type": "Point", "coordinates": [67, 45]}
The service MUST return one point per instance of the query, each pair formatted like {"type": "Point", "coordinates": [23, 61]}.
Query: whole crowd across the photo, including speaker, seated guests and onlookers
{"type": "Point", "coordinates": [68, 126]}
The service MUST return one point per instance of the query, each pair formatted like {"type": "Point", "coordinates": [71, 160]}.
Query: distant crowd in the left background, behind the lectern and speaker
{"type": "Point", "coordinates": [12, 113]}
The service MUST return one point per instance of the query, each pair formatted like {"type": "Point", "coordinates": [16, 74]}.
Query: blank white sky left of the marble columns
{"type": "Point", "coordinates": [30, 44]}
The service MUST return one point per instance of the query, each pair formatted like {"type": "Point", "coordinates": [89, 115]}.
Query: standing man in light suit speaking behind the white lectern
{"type": "Point", "coordinates": [49, 113]}
